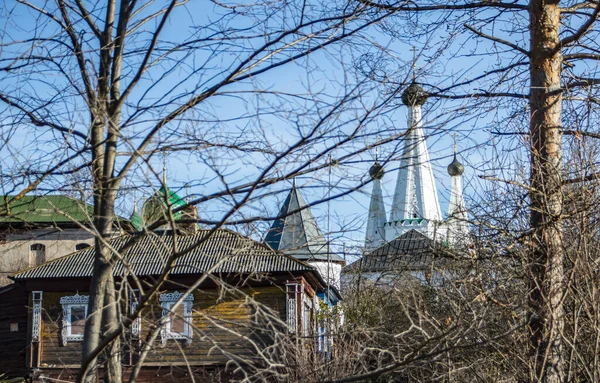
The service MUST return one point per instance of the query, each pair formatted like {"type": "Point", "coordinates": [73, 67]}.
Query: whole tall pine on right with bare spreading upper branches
{"type": "Point", "coordinates": [542, 48]}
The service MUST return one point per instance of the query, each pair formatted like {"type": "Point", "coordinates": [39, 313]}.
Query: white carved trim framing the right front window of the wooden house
{"type": "Point", "coordinates": [167, 301]}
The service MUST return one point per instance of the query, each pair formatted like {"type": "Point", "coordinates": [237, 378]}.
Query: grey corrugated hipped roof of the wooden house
{"type": "Point", "coordinates": [222, 252]}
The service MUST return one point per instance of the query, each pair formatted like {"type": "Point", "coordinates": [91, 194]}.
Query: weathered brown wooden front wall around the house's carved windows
{"type": "Point", "coordinates": [226, 325]}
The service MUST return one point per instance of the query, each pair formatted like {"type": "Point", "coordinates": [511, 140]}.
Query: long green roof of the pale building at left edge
{"type": "Point", "coordinates": [47, 209]}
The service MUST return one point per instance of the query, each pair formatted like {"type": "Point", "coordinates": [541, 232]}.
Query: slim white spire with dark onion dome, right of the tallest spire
{"type": "Point", "coordinates": [457, 225]}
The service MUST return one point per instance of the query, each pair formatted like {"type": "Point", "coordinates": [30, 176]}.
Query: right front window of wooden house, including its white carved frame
{"type": "Point", "coordinates": [177, 319]}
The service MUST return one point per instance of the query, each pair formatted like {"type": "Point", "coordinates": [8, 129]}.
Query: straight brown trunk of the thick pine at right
{"type": "Point", "coordinates": [546, 319]}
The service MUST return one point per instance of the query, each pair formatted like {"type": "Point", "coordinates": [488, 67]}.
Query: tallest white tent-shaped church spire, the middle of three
{"type": "Point", "coordinates": [415, 197]}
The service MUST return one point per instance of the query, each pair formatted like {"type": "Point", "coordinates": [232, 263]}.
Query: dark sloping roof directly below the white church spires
{"type": "Point", "coordinates": [410, 251]}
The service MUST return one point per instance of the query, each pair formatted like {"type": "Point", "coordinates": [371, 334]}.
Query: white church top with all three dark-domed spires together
{"type": "Point", "coordinates": [415, 204]}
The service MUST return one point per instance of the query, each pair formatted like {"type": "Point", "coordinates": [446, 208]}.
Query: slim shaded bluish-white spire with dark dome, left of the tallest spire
{"type": "Point", "coordinates": [375, 235]}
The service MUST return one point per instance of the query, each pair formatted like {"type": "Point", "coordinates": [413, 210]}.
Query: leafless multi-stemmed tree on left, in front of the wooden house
{"type": "Point", "coordinates": [103, 87]}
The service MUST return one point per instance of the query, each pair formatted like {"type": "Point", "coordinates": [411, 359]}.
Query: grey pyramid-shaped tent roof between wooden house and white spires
{"type": "Point", "coordinates": [296, 232]}
